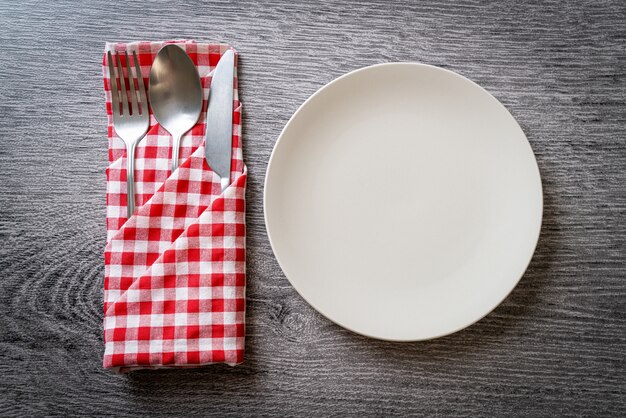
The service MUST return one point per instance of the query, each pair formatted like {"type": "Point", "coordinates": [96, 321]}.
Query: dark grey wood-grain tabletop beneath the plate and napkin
{"type": "Point", "coordinates": [557, 345]}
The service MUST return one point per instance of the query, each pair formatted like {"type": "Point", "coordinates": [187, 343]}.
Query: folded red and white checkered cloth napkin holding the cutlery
{"type": "Point", "coordinates": [174, 289]}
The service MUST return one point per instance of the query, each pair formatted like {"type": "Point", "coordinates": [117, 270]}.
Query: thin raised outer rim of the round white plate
{"type": "Point", "coordinates": [430, 67]}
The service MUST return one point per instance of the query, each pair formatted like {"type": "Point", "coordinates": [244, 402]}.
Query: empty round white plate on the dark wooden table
{"type": "Point", "coordinates": [403, 201]}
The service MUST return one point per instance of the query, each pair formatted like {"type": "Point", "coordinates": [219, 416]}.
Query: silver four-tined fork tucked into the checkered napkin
{"type": "Point", "coordinates": [131, 126]}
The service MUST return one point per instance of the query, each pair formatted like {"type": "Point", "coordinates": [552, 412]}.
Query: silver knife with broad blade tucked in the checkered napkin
{"type": "Point", "coordinates": [219, 120]}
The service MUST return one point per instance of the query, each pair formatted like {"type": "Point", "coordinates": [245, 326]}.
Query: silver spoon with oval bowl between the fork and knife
{"type": "Point", "coordinates": [175, 94]}
